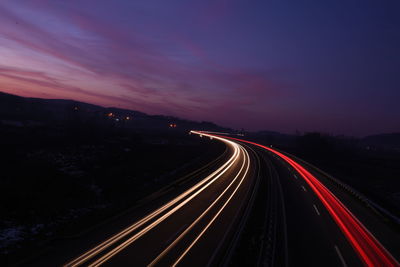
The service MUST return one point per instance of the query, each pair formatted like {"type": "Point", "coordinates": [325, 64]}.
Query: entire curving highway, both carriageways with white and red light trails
{"type": "Point", "coordinates": [290, 217]}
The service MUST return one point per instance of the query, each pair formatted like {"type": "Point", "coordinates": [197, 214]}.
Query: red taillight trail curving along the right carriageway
{"type": "Point", "coordinates": [368, 248]}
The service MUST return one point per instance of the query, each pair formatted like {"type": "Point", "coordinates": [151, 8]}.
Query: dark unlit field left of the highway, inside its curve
{"type": "Point", "coordinates": [57, 181]}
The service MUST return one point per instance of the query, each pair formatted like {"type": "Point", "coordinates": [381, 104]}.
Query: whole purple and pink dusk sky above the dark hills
{"type": "Point", "coordinates": [330, 66]}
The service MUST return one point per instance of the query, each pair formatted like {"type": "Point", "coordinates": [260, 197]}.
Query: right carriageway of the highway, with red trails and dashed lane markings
{"type": "Point", "coordinates": [320, 230]}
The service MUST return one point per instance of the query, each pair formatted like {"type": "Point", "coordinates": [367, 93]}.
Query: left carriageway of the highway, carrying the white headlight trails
{"type": "Point", "coordinates": [191, 228]}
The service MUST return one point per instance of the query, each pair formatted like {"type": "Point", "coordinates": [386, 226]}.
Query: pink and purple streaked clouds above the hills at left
{"type": "Point", "coordinates": [174, 76]}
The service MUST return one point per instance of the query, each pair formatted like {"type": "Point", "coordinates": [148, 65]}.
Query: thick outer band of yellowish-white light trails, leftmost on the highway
{"type": "Point", "coordinates": [190, 194]}
